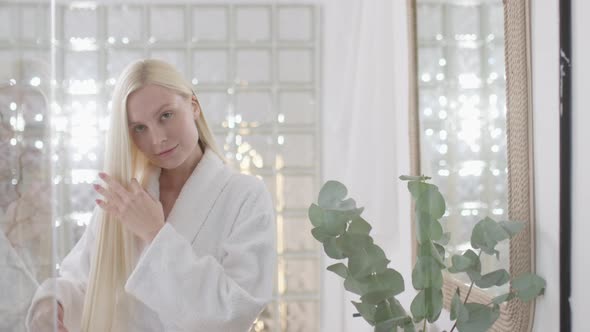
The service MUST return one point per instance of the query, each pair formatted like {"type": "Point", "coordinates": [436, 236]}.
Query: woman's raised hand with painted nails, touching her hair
{"type": "Point", "coordinates": [135, 208]}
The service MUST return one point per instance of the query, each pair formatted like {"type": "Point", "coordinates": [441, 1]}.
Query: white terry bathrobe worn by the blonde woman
{"type": "Point", "coordinates": [210, 268]}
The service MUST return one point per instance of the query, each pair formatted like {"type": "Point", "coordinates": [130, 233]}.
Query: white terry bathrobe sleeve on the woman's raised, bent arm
{"type": "Point", "coordinates": [191, 292]}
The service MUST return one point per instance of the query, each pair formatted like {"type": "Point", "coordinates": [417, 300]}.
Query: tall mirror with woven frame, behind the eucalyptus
{"type": "Point", "coordinates": [470, 126]}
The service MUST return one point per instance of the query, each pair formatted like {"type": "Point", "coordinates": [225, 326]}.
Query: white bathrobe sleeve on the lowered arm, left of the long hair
{"type": "Point", "coordinates": [69, 287]}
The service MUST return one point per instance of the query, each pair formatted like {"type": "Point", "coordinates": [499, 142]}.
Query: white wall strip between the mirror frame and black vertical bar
{"type": "Point", "coordinates": [545, 43]}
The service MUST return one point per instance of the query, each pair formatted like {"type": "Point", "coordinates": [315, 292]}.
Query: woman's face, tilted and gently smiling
{"type": "Point", "coordinates": [162, 125]}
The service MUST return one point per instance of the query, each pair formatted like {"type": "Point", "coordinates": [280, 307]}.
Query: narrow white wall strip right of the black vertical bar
{"type": "Point", "coordinates": [581, 165]}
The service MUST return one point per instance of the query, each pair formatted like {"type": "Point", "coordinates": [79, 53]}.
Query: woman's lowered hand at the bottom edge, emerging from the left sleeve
{"type": "Point", "coordinates": [44, 319]}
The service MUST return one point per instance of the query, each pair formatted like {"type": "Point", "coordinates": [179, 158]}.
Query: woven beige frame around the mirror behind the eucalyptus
{"type": "Point", "coordinates": [515, 315]}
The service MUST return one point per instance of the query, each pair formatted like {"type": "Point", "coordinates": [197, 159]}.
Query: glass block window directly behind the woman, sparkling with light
{"type": "Point", "coordinates": [255, 69]}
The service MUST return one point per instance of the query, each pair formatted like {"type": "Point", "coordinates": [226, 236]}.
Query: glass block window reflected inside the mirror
{"type": "Point", "coordinates": [462, 112]}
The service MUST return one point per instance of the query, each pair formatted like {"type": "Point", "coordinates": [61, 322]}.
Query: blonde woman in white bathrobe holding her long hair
{"type": "Point", "coordinates": [178, 241]}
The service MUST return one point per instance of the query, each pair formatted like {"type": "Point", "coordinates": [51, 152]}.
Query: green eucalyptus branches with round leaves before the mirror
{"type": "Point", "coordinates": [345, 235]}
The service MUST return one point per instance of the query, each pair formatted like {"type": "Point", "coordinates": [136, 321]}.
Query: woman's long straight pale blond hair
{"type": "Point", "coordinates": [115, 254]}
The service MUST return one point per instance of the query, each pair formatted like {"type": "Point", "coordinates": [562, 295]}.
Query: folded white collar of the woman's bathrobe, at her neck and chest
{"type": "Point", "coordinates": [197, 196]}
